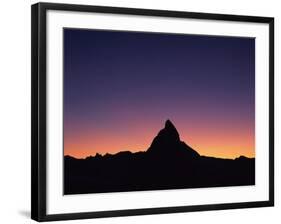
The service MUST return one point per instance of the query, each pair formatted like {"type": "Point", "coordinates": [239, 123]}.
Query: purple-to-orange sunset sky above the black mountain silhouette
{"type": "Point", "coordinates": [121, 87]}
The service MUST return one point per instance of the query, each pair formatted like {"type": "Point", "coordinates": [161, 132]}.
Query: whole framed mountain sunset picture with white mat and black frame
{"type": "Point", "coordinates": [139, 111]}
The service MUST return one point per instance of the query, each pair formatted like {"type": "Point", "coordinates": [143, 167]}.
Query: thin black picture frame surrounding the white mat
{"type": "Point", "coordinates": [38, 108]}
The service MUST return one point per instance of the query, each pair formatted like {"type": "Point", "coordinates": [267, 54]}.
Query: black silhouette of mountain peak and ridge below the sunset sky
{"type": "Point", "coordinates": [169, 163]}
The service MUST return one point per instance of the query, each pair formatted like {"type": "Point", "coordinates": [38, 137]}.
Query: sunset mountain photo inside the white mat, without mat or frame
{"type": "Point", "coordinates": [157, 111]}
